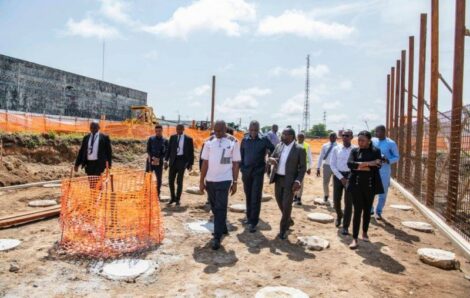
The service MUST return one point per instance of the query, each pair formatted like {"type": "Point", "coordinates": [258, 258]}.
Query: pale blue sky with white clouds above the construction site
{"type": "Point", "coordinates": [256, 49]}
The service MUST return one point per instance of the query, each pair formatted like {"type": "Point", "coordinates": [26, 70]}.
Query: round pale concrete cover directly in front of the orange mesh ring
{"type": "Point", "coordinates": [126, 269]}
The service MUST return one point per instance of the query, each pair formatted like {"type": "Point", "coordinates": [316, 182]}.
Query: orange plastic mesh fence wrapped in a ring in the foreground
{"type": "Point", "coordinates": [110, 215]}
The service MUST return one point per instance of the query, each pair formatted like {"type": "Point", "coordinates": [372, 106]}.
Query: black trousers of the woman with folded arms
{"type": "Point", "coordinates": [363, 197]}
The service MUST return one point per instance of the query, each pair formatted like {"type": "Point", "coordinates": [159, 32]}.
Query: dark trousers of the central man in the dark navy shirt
{"type": "Point", "coordinates": [253, 187]}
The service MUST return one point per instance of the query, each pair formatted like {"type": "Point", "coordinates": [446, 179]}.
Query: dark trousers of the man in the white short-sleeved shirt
{"type": "Point", "coordinates": [218, 198]}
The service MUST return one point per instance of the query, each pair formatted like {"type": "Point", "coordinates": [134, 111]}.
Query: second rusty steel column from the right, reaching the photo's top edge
{"type": "Point", "coordinates": [433, 129]}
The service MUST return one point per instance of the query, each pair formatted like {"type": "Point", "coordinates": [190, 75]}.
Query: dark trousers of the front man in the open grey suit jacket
{"type": "Point", "coordinates": [284, 199]}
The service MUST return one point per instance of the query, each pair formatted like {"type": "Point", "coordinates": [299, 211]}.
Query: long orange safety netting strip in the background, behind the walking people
{"type": "Point", "coordinates": [25, 122]}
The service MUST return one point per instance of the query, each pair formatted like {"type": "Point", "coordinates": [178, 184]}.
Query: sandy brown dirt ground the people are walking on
{"type": "Point", "coordinates": [187, 267]}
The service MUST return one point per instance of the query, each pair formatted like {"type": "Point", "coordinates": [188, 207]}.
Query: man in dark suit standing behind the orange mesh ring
{"type": "Point", "coordinates": [95, 152]}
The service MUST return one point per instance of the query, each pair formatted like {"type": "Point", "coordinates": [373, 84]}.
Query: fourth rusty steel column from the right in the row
{"type": "Point", "coordinates": [409, 113]}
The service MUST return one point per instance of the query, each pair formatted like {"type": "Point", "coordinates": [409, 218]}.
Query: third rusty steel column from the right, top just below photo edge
{"type": "Point", "coordinates": [420, 107]}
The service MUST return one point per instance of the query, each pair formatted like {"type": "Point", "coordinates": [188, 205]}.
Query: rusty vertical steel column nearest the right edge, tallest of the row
{"type": "Point", "coordinates": [456, 122]}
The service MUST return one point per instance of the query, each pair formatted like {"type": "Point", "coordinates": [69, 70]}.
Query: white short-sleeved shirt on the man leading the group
{"type": "Point", "coordinates": [221, 154]}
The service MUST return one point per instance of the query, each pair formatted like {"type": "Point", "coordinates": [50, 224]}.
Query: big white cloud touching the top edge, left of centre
{"type": "Point", "coordinates": [212, 15]}
